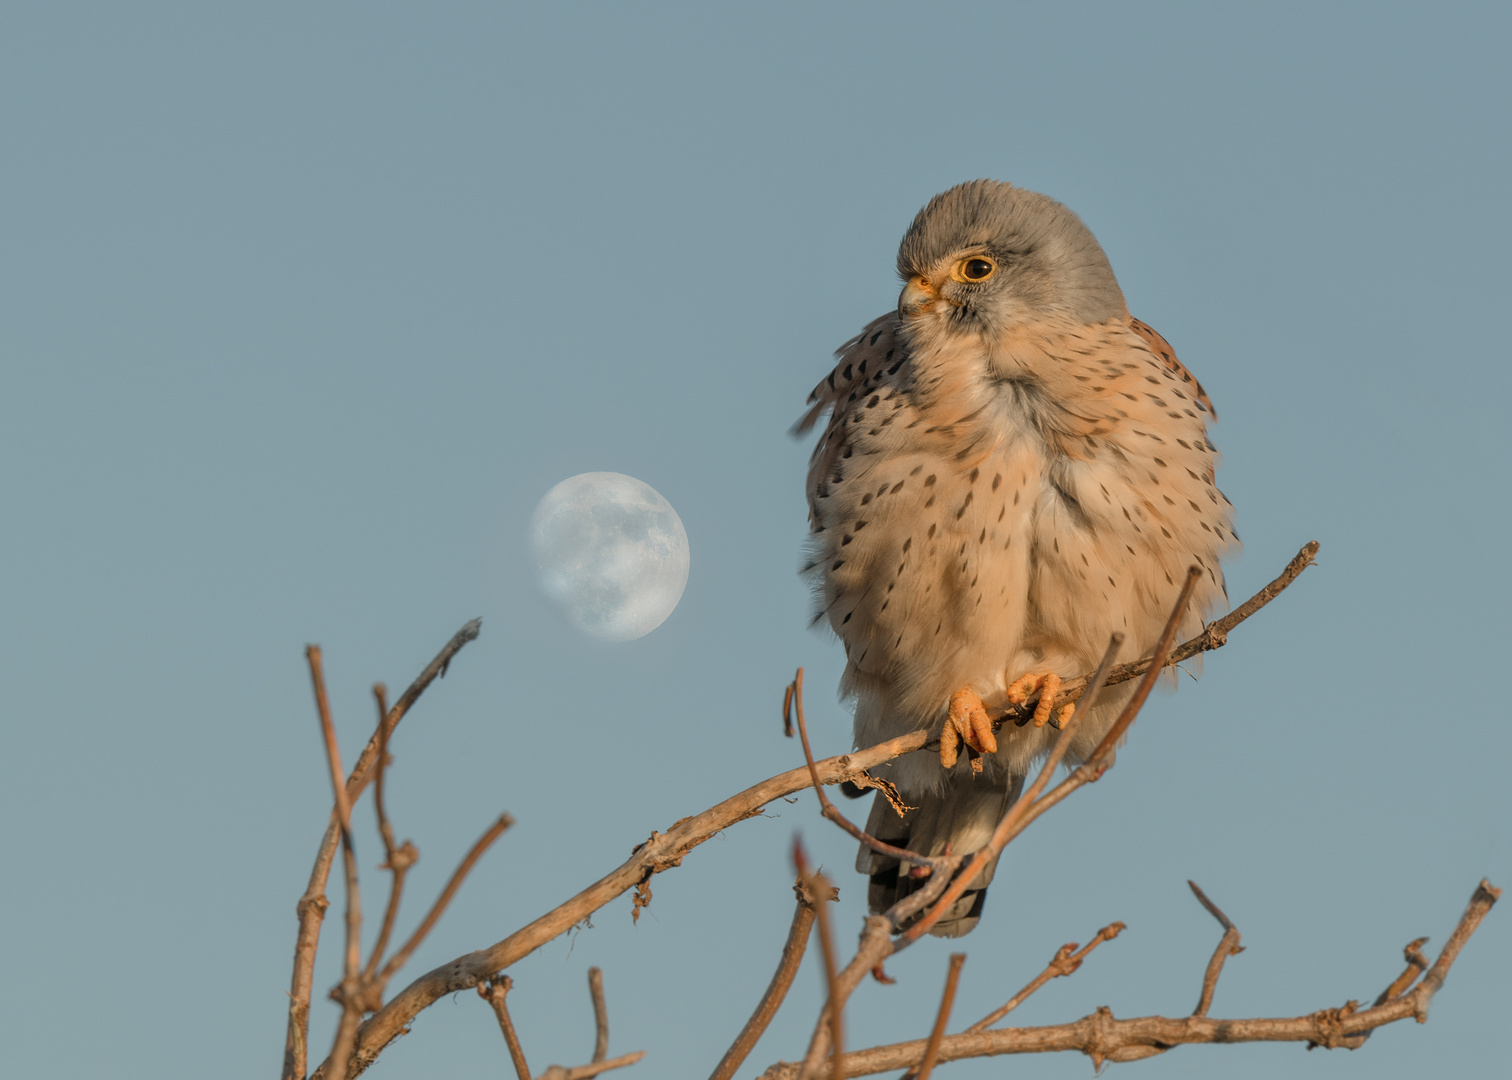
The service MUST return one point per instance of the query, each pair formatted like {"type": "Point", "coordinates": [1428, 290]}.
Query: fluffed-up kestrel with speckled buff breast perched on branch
{"type": "Point", "coordinates": [1012, 470]}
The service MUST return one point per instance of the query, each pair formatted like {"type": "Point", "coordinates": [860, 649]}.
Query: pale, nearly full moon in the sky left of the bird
{"type": "Point", "coordinates": [613, 553]}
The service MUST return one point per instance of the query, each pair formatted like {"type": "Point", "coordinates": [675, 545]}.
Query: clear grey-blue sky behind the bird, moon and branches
{"type": "Point", "coordinates": [305, 308]}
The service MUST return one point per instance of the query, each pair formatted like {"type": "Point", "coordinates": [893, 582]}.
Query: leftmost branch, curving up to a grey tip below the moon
{"type": "Point", "coordinates": [311, 911]}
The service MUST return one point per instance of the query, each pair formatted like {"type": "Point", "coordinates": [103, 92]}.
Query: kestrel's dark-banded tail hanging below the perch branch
{"type": "Point", "coordinates": [958, 821]}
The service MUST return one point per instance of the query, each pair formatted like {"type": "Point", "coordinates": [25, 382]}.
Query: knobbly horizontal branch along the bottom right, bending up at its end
{"type": "Point", "coordinates": [1105, 1038]}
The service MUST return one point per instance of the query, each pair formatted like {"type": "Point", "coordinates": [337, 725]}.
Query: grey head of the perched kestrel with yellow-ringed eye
{"type": "Point", "coordinates": [987, 256]}
